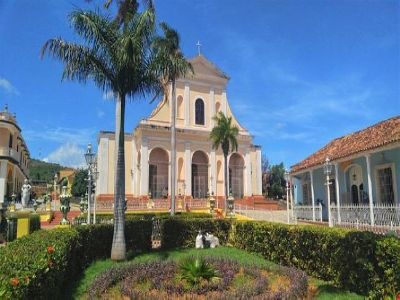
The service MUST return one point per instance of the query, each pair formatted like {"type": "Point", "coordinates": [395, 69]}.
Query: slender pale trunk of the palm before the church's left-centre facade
{"type": "Point", "coordinates": [173, 148]}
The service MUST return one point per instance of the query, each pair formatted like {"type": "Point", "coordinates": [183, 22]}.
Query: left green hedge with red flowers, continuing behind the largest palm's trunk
{"type": "Point", "coordinates": [41, 264]}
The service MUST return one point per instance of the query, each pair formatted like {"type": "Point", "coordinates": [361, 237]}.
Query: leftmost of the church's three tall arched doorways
{"type": "Point", "coordinates": [158, 173]}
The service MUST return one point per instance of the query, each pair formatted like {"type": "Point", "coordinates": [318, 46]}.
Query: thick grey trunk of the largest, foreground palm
{"type": "Point", "coordinates": [118, 249]}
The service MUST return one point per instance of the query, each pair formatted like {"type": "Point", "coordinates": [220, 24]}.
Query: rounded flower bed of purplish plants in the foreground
{"type": "Point", "coordinates": [163, 279]}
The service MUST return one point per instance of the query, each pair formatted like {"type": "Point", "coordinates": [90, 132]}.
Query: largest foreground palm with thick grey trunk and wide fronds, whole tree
{"type": "Point", "coordinates": [118, 59]}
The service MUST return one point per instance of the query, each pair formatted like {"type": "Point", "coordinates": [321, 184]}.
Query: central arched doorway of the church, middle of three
{"type": "Point", "coordinates": [199, 175]}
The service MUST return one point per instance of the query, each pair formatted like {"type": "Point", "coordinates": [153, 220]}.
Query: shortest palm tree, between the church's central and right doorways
{"type": "Point", "coordinates": [224, 134]}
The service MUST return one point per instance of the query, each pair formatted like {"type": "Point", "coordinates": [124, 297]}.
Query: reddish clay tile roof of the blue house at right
{"type": "Point", "coordinates": [378, 135]}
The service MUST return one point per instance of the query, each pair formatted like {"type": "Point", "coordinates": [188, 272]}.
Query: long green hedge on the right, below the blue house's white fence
{"type": "Point", "coordinates": [359, 261]}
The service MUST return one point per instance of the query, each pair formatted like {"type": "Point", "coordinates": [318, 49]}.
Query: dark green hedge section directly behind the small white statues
{"type": "Point", "coordinates": [181, 233]}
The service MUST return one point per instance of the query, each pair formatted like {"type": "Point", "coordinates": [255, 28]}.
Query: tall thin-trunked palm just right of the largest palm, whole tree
{"type": "Point", "coordinates": [173, 65]}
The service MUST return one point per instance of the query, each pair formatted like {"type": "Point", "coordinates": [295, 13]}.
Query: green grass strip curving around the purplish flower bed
{"type": "Point", "coordinates": [321, 289]}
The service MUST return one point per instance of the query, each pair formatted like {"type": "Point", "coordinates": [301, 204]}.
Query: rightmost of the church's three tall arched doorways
{"type": "Point", "coordinates": [236, 168]}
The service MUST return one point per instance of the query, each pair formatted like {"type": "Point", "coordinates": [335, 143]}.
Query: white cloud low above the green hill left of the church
{"type": "Point", "coordinates": [68, 155]}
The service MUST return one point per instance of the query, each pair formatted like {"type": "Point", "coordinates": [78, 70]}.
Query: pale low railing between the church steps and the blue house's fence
{"type": "Point", "coordinates": [261, 214]}
